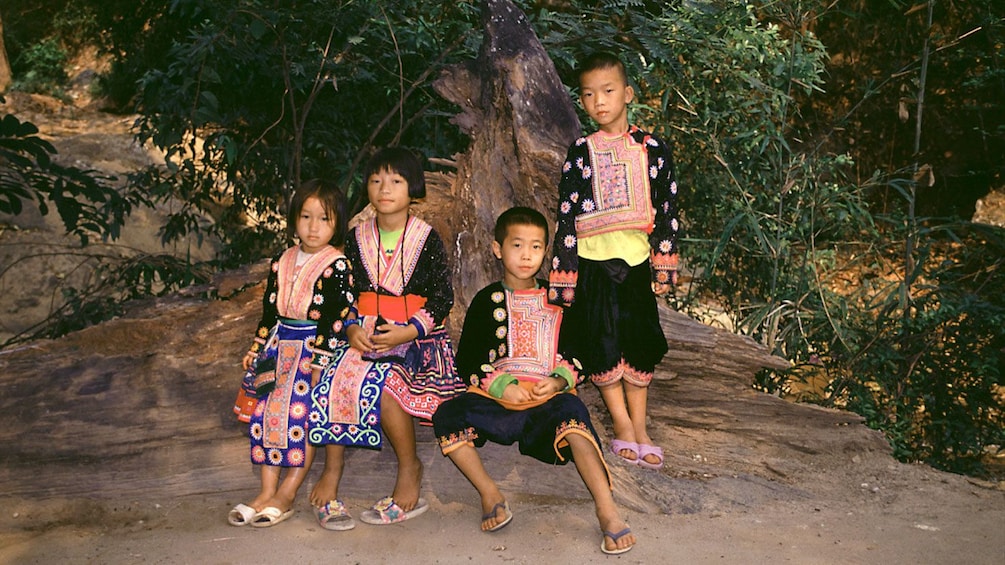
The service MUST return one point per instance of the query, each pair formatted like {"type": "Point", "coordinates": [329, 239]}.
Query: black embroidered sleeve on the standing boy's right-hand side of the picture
{"type": "Point", "coordinates": [664, 187]}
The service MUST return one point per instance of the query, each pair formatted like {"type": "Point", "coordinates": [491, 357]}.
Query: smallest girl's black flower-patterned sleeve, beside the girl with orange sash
{"type": "Point", "coordinates": [333, 298]}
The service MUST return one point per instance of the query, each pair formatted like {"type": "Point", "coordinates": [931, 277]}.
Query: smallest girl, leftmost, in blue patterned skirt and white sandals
{"type": "Point", "coordinates": [308, 293]}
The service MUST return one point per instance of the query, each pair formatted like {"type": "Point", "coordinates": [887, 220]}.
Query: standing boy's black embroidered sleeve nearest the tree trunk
{"type": "Point", "coordinates": [575, 184]}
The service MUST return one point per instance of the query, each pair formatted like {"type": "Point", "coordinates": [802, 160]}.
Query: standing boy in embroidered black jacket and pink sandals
{"type": "Point", "coordinates": [616, 247]}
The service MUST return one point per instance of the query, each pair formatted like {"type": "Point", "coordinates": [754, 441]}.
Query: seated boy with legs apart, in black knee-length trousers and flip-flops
{"type": "Point", "coordinates": [522, 390]}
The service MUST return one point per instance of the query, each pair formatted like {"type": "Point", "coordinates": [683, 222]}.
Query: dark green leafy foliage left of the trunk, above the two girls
{"type": "Point", "coordinates": [255, 100]}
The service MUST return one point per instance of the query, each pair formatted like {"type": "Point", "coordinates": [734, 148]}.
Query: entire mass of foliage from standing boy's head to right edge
{"type": "Point", "coordinates": [790, 248]}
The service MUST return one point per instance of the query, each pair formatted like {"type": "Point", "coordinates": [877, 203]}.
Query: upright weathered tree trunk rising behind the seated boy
{"type": "Point", "coordinates": [521, 122]}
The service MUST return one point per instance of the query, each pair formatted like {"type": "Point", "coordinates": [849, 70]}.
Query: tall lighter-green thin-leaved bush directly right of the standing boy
{"type": "Point", "coordinates": [762, 211]}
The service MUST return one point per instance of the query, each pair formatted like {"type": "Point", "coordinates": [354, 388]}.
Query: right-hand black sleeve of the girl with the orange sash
{"type": "Point", "coordinates": [432, 279]}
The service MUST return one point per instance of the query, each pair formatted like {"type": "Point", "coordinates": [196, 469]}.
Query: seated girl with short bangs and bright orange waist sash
{"type": "Point", "coordinates": [399, 342]}
